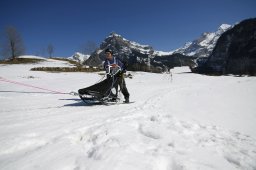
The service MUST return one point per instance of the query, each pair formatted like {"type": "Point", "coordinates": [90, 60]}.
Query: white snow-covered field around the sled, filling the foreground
{"type": "Point", "coordinates": [187, 122]}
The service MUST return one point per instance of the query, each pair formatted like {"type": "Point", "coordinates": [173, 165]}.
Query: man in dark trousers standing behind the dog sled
{"type": "Point", "coordinates": [114, 62]}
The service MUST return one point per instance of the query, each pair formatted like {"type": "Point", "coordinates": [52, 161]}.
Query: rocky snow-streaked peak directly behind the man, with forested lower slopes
{"type": "Point", "coordinates": [139, 57]}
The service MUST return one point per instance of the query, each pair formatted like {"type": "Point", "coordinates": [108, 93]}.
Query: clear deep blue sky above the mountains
{"type": "Point", "coordinates": [163, 24]}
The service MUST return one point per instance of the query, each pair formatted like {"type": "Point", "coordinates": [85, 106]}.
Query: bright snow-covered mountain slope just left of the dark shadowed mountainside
{"type": "Point", "coordinates": [203, 46]}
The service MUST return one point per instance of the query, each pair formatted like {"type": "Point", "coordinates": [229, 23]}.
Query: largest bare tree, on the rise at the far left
{"type": "Point", "coordinates": [12, 44]}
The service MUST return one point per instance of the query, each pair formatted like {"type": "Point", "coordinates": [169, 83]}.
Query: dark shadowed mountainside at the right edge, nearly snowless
{"type": "Point", "coordinates": [235, 51]}
